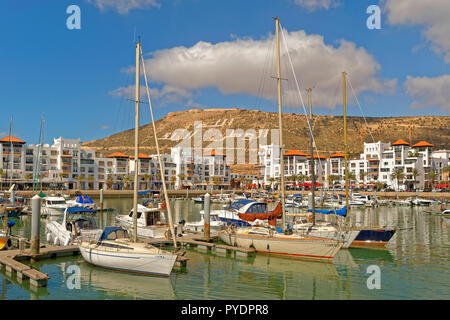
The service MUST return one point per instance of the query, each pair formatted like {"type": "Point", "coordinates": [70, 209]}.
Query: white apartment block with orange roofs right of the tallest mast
{"type": "Point", "coordinates": [377, 163]}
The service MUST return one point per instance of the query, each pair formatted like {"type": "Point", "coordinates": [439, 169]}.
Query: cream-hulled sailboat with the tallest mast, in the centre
{"type": "Point", "coordinates": [269, 241]}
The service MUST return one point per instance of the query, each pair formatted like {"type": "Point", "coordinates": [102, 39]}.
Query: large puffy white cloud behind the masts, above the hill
{"type": "Point", "coordinates": [246, 66]}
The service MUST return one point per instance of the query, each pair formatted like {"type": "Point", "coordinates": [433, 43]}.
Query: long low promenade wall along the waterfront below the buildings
{"type": "Point", "coordinates": [196, 193]}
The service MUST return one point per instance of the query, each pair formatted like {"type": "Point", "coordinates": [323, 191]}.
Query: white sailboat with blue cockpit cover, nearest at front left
{"type": "Point", "coordinates": [115, 249]}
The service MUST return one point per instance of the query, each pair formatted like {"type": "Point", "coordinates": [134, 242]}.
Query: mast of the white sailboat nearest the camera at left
{"type": "Point", "coordinates": [136, 142]}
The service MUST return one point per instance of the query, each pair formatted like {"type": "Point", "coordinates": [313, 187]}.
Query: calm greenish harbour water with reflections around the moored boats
{"type": "Point", "coordinates": [414, 265]}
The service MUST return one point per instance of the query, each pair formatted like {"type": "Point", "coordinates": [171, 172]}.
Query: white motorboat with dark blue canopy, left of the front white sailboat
{"type": "Point", "coordinates": [77, 224]}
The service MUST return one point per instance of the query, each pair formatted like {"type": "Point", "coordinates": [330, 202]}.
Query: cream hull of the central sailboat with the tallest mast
{"type": "Point", "coordinates": [284, 245]}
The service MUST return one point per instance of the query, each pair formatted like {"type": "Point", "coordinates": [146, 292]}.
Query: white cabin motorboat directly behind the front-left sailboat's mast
{"type": "Point", "coordinates": [151, 222]}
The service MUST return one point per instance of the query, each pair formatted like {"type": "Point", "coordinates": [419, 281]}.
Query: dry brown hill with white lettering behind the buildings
{"type": "Point", "coordinates": [328, 130]}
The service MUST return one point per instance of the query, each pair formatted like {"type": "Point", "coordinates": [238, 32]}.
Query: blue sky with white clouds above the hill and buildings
{"type": "Point", "coordinates": [210, 54]}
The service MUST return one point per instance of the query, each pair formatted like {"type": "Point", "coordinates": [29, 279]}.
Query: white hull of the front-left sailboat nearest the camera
{"type": "Point", "coordinates": [153, 264]}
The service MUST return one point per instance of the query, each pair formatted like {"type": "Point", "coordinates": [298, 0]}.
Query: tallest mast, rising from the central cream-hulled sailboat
{"type": "Point", "coordinates": [283, 218]}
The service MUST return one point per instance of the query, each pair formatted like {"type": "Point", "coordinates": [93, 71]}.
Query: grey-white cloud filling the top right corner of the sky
{"type": "Point", "coordinates": [433, 15]}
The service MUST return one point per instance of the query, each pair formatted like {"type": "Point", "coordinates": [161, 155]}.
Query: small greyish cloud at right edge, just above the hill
{"type": "Point", "coordinates": [428, 92]}
